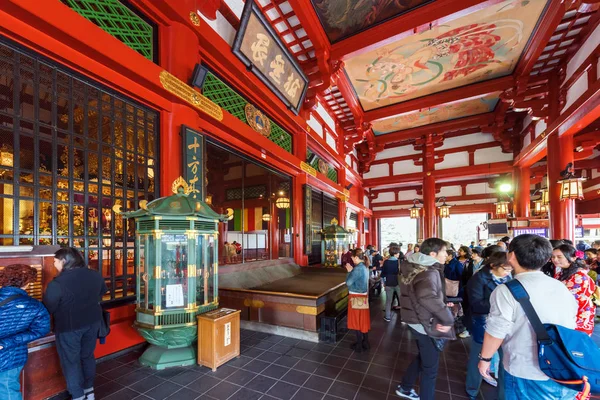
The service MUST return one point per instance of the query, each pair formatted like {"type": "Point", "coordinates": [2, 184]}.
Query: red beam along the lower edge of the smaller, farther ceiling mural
{"type": "Point", "coordinates": [440, 128]}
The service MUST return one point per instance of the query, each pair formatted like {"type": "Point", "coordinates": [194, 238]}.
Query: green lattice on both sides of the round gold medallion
{"type": "Point", "coordinates": [230, 101]}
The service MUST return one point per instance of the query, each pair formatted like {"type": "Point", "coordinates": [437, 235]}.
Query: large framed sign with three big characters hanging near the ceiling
{"type": "Point", "coordinates": [259, 47]}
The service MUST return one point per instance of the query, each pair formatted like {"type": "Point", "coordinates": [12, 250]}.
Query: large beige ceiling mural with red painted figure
{"type": "Point", "coordinates": [482, 45]}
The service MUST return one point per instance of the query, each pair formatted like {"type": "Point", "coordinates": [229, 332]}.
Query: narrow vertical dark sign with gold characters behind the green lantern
{"type": "Point", "coordinates": [193, 161]}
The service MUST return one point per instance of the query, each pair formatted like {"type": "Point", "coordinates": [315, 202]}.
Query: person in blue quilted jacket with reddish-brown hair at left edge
{"type": "Point", "coordinates": [22, 320]}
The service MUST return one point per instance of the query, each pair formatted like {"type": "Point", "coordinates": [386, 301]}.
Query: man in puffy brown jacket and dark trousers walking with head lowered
{"type": "Point", "coordinates": [425, 310]}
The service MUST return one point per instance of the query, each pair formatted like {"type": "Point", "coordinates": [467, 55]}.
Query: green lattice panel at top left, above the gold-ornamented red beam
{"type": "Point", "coordinates": [119, 21]}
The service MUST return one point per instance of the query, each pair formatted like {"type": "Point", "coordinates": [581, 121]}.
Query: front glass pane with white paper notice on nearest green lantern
{"type": "Point", "coordinates": [174, 260]}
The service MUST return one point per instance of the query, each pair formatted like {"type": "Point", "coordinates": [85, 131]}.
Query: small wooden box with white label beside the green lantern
{"type": "Point", "coordinates": [218, 337]}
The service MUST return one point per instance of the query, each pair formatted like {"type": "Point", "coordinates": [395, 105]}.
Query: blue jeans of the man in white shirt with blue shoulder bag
{"type": "Point", "coordinates": [514, 388]}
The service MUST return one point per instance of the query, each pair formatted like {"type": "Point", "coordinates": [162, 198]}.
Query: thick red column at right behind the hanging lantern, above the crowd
{"type": "Point", "coordinates": [562, 213]}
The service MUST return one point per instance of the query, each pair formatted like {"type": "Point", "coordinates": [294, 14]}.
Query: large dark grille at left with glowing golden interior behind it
{"type": "Point", "coordinates": [70, 151]}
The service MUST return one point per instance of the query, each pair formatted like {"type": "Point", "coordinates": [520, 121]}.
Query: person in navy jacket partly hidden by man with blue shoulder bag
{"type": "Point", "coordinates": [495, 272]}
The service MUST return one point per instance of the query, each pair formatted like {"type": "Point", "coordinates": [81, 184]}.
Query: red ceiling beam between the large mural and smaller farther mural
{"type": "Point", "coordinates": [441, 98]}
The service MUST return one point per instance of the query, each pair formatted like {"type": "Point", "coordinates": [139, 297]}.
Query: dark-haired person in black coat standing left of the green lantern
{"type": "Point", "coordinates": [73, 299]}
